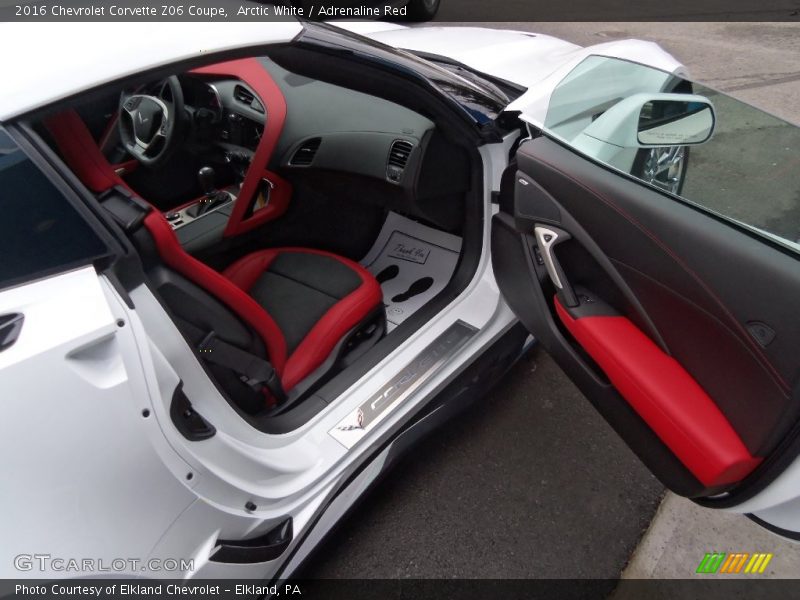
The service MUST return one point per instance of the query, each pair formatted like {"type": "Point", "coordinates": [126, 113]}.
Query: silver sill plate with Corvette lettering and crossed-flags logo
{"type": "Point", "coordinates": [355, 425]}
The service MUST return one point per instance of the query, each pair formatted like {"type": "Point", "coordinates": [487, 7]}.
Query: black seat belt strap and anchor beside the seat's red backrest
{"type": "Point", "coordinates": [253, 370]}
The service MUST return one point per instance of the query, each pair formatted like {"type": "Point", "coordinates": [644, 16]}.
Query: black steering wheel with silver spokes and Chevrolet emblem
{"type": "Point", "coordinates": [150, 125]}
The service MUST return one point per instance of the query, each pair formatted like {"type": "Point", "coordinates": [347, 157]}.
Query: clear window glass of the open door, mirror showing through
{"type": "Point", "coordinates": [686, 139]}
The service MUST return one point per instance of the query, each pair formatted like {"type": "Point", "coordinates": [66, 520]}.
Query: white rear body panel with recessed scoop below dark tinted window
{"type": "Point", "coordinates": [89, 471]}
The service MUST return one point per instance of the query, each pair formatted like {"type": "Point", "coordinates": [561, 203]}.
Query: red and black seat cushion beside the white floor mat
{"type": "Point", "coordinates": [314, 297]}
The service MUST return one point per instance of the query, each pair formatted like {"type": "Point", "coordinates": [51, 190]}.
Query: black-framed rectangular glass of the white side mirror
{"type": "Point", "coordinates": [675, 122]}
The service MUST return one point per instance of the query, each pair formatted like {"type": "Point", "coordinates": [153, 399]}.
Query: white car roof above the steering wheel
{"type": "Point", "coordinates": [85, 55]}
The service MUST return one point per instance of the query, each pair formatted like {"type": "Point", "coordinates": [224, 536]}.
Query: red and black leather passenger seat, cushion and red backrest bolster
{"type": "Point", "coordinates": [301, 302]}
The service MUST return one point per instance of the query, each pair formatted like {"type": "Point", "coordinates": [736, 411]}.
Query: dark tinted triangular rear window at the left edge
{"type": "Point", "coordinates": [40, 232]}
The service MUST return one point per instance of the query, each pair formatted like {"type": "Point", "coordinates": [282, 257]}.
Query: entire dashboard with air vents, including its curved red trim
{"type": "Point", "coordinates": [278, 130]}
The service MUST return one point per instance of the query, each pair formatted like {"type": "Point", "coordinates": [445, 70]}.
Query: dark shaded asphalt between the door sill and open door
{"type": "Point", "coordinates": [528, 483]}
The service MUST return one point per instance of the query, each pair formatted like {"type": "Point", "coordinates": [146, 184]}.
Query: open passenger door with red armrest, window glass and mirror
{"type": "Point", "coordinates": [647, 238]}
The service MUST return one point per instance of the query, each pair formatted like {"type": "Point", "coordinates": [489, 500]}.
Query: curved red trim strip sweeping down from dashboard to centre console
{"type": "Point", "coordinates": [250, 71]}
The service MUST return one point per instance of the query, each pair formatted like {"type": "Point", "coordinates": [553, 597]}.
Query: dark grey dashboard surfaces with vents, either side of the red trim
{"type": "Point", "coordinates": [326, 127]}
